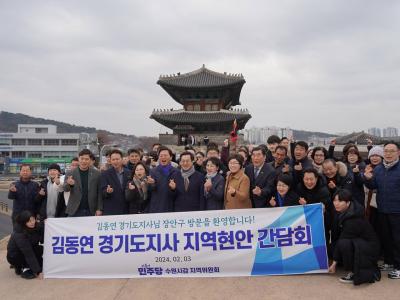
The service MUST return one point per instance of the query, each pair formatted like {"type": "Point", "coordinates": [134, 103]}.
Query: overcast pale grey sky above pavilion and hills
{"type": "Point", "coordinates": [330, 66]}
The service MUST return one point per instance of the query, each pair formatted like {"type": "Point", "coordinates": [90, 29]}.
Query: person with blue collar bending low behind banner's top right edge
{"type": "Point", "coordinates": [284, 195]}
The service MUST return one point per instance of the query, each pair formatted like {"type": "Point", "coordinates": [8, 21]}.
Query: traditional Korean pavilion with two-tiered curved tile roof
{"type": "Point", "coordinates": [208, 99]}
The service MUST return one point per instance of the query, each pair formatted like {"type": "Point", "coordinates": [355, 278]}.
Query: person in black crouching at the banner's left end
{"type": "Point", "coordinates": [23, 250]}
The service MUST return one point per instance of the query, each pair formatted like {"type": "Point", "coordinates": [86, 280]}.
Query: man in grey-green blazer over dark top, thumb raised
{"type": "Point", "coordinates": [83, 183]}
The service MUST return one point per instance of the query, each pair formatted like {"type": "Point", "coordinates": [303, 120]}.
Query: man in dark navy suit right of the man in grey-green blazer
{"type": "Point", "coordinates": [113, 184]}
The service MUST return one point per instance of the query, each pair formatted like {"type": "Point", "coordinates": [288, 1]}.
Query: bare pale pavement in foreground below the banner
{"type": "Point", "coordinates": [319, 286]}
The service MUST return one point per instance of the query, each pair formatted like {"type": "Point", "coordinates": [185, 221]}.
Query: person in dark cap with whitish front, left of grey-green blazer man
{"type": "Point", "coordinates": [49, 197]}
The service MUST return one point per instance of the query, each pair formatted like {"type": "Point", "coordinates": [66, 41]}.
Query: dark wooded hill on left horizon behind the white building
{"type": "Point", "coordinates": [9, 123]}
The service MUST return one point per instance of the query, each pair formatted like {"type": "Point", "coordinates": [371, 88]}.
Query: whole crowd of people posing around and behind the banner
{"type": "Point", "coordinates": [361, 198]}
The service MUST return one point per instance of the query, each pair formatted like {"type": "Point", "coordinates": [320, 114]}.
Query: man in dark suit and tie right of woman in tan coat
{"type": "Point", "coordinates": [261, 177]}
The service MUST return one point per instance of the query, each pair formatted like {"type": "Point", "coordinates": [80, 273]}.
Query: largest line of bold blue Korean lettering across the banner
{"type": "Point", "coordinates": [223, 240]}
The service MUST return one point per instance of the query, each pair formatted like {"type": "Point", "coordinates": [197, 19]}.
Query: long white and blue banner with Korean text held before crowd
{"type": "Point", "coordinates": [242, 242]}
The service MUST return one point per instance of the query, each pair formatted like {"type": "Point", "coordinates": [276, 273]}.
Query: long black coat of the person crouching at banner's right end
{"type": "Point", "coordinates": [354, 227]}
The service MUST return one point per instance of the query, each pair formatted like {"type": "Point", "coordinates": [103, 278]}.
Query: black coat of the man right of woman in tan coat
{"type": "Point", "coordinates": [265, 181]}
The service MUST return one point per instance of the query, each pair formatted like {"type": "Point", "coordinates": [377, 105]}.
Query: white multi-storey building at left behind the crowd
{"type": "Point", "coordinates": [41, 145]}
